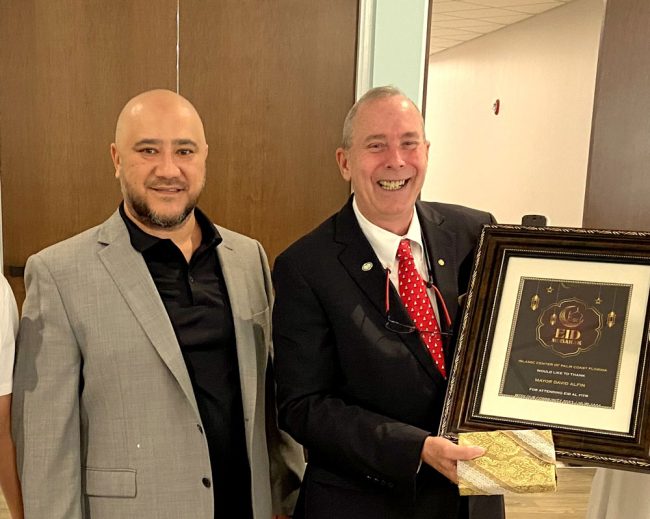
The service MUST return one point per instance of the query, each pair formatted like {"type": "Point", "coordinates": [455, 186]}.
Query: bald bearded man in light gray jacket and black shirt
{"type": "Point", "coordinates": [143, 384]}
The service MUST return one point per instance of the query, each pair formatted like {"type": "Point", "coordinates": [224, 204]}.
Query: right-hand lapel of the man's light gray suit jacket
{"type": "Point", "coordinates": [234, 275]}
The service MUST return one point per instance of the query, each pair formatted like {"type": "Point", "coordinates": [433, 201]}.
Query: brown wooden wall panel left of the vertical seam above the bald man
{"type": "Point", "coordinates": [67, 67]}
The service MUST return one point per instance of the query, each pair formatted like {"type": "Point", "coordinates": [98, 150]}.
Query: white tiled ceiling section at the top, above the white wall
{"type": "Point", "coordinates": [456, 21]}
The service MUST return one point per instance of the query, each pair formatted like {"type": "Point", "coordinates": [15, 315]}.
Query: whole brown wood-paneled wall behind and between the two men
{"type": "Point", "coordinates": [273, 81]}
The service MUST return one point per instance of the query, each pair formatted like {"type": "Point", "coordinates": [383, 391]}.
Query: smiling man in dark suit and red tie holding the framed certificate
{"type": "Point", "coordinates": [365, 398]}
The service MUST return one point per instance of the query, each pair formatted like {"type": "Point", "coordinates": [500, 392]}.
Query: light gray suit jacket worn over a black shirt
{"type": "Point", "coordinates": [105, 419]}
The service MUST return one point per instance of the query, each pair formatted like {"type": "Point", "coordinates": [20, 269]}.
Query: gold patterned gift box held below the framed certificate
{"type": "Point", "coordinates": [515, 462]}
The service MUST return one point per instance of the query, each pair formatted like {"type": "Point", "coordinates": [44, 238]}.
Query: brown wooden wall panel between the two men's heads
{"type": "Point", "coordinates": [273, 81]}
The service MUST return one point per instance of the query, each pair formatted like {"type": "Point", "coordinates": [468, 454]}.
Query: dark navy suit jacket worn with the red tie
{"type": "Point", "coordinates": [359, 397]}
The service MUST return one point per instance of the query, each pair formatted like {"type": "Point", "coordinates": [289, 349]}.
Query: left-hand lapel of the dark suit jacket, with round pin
{"type": "Point", "coordinates": [356, 253]}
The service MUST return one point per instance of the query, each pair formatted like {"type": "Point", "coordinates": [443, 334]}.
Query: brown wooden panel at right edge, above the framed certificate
{"type": "Point", "coordinates": [618, 188]}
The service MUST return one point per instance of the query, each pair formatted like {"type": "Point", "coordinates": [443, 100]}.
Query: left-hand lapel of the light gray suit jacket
{"type": "Point", "coordinates": [129, 272]}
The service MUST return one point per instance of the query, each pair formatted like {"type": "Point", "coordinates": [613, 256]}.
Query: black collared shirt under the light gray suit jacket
{"type": "Point", "coordinates": [198, 307]}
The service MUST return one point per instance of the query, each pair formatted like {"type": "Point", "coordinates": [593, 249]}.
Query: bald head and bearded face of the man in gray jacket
{"type": "Point", "coordinates": [159, 155]}
